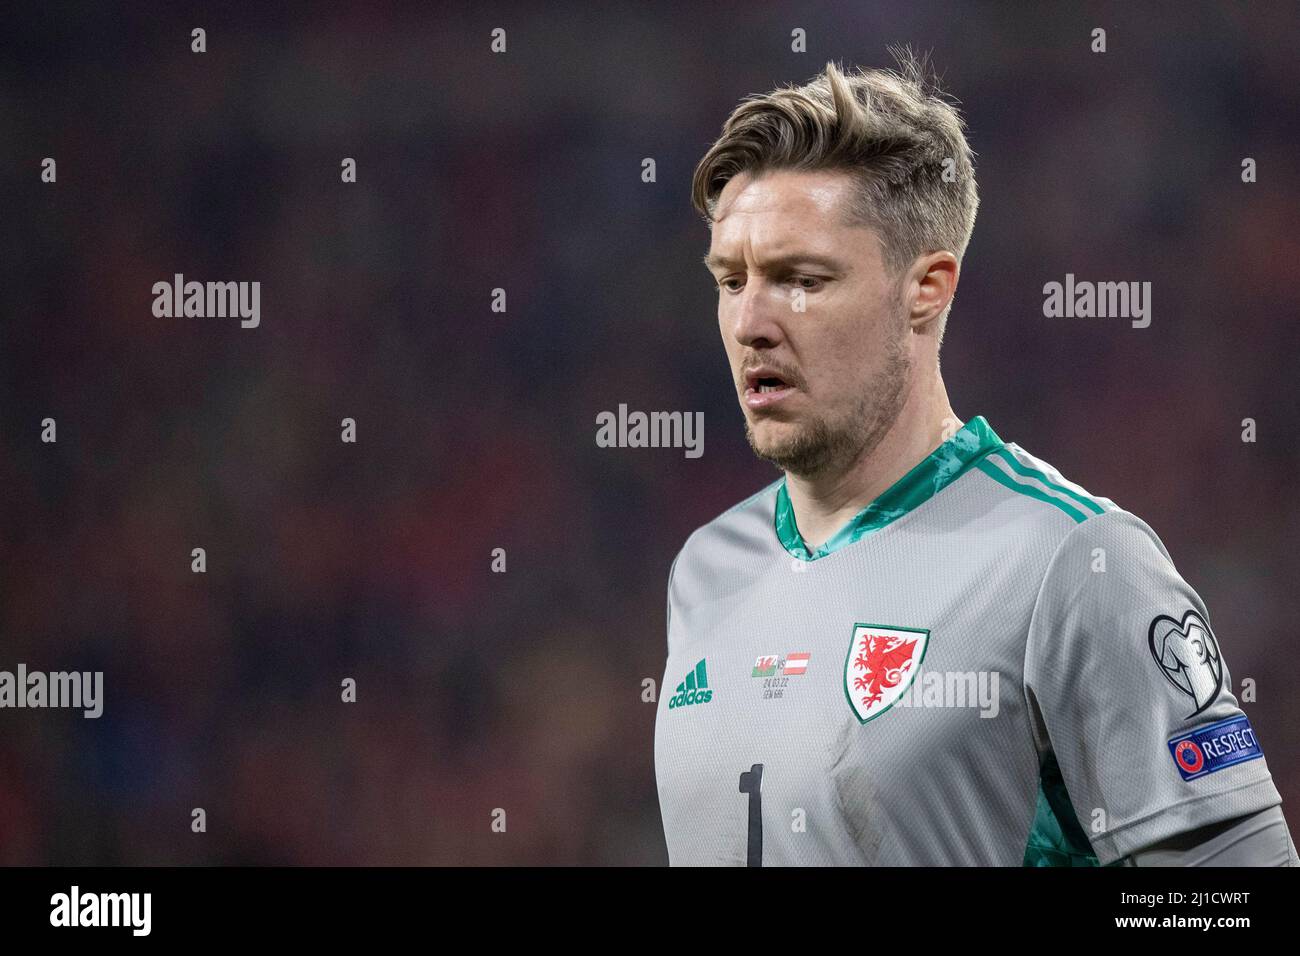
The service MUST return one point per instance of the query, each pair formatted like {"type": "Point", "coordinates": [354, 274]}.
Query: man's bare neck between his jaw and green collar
{"type": "Point", "coordinates": [825, 504]}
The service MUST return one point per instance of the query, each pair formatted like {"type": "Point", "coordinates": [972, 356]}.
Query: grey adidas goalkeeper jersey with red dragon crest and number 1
{"type": "Point", "coordinates": [986, 667]}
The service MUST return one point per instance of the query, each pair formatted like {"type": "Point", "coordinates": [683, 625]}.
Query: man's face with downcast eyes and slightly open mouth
{"type": "Point", "coordinates": [820, 388]}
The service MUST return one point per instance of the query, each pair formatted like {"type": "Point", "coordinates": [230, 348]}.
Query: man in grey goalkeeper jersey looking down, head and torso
{"type": "Point", "coordinates": [922, 646]}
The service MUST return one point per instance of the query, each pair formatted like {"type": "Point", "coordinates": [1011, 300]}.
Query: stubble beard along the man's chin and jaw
{"type": "Point", "coordinates": [824, 447]}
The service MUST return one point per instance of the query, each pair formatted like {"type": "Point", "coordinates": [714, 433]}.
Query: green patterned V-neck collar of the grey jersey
{"type": "Point", "coordinates": [937, 471]}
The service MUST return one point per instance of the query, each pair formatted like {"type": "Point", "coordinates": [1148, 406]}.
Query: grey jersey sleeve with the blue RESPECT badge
{"type": "Point", "coordinates": [1129, 689]}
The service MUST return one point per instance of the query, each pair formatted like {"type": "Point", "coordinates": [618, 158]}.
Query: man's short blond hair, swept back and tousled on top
{"type": "Point", "coordinates": [895, 132]}
